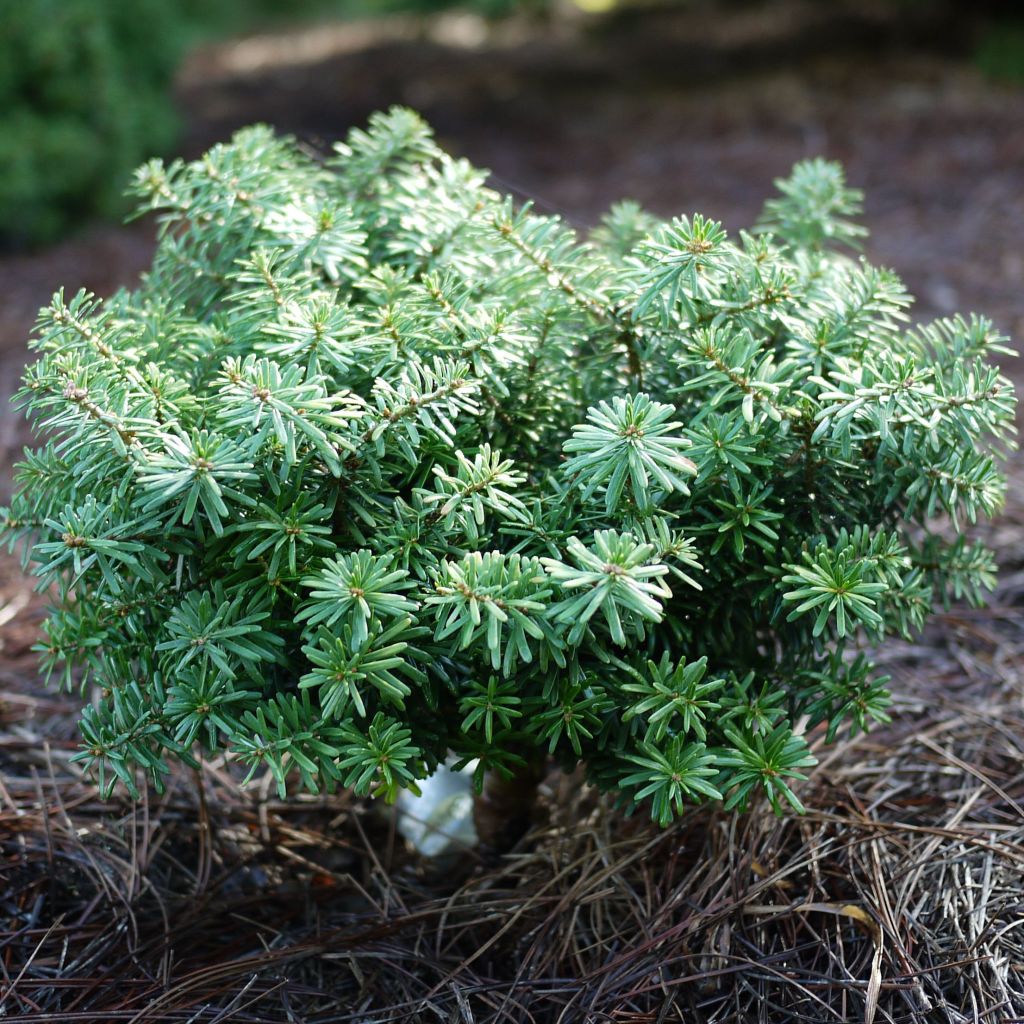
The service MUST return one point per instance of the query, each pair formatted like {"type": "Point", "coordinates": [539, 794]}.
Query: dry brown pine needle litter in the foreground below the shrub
{"type": "Point", "coordinates": [899, 898]}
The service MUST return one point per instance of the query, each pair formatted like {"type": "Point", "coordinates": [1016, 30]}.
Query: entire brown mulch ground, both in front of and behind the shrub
{"type": "Point", "coordinates": [900, 898]}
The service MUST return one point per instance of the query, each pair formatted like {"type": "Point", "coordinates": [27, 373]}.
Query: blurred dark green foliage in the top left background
{"type": "Point", "coordinates": [86, 94]}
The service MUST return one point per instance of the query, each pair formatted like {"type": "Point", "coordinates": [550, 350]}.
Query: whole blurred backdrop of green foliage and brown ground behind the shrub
{"type": "Point", "coordinates": [685, 105]}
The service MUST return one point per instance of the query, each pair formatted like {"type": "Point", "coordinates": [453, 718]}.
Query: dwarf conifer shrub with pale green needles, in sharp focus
{"type": "Point", "coordinates": [375, 467]}
